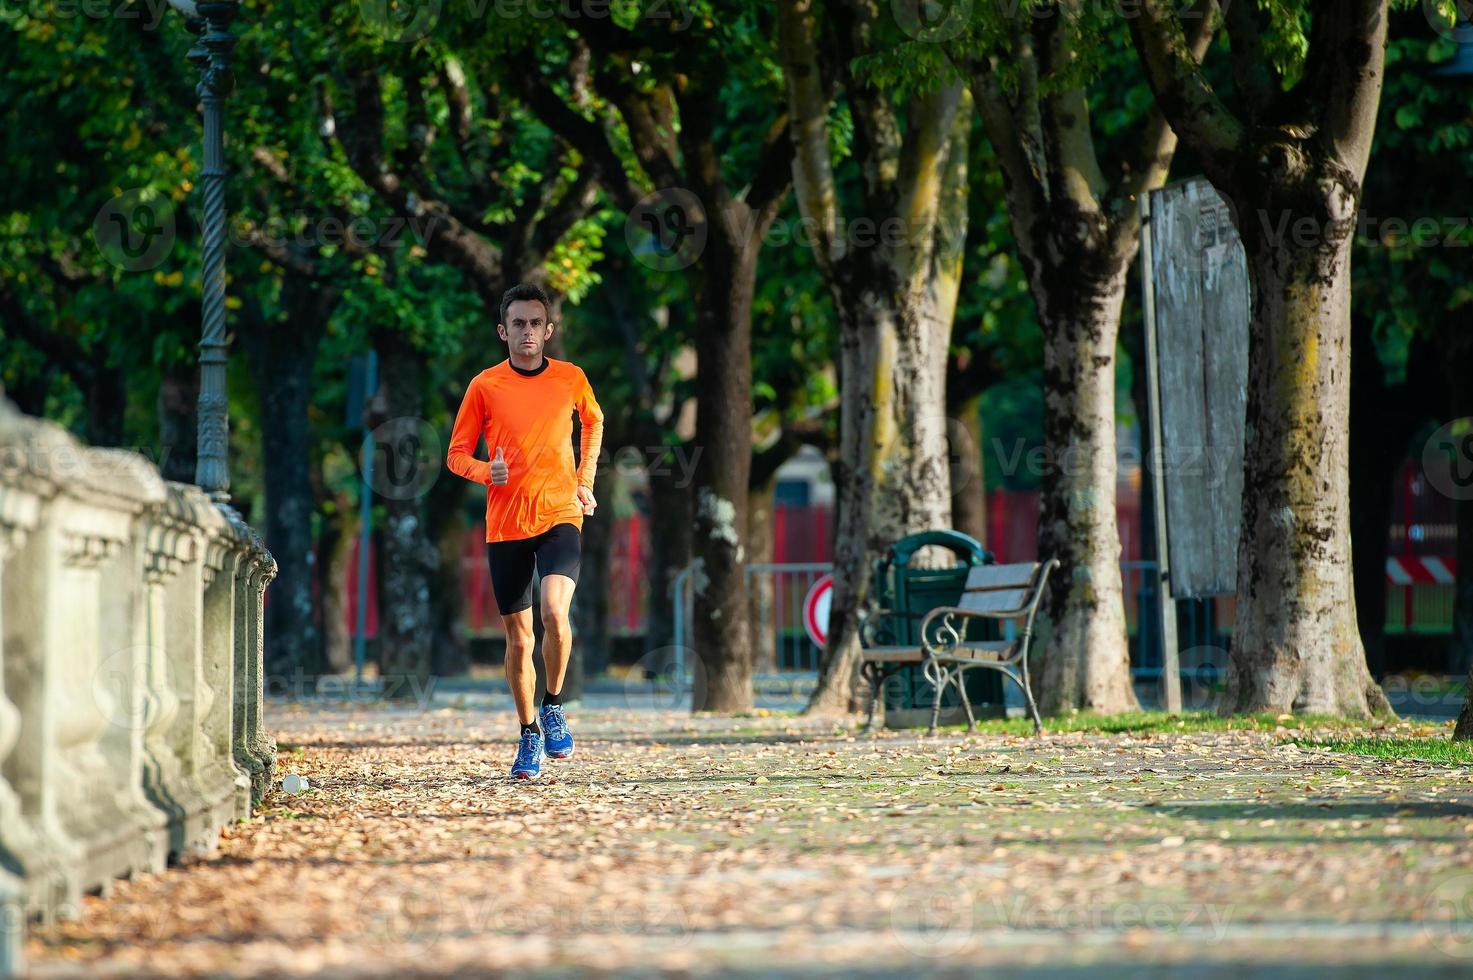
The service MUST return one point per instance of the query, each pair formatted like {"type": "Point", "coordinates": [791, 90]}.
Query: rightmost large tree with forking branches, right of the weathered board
{"type": "Point", "coordinates": [1290, 157]}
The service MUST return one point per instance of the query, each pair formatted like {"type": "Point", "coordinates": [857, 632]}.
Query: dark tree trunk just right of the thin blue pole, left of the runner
{"type": "Point", "coordinates": [410, 558]}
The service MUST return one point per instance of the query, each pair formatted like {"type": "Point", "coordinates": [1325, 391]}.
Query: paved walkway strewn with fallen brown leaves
{"type": "Point", "coordinates": [795, 847]}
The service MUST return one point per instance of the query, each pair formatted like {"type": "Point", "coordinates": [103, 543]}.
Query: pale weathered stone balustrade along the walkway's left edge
{"type": "Point", "coordinates": [130, 671]}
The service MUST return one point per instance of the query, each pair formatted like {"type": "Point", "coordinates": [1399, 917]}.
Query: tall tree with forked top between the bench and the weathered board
{"type": "Point", "coordinates": [1077, 231]}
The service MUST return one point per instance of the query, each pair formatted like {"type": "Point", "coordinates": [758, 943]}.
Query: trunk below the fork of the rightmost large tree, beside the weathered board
{"type": "Point", "coordinates": [1296, 643]}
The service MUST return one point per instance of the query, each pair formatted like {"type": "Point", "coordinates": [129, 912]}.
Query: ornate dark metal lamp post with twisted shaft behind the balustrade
{"type": "Point", "coordinates": [210, 21]}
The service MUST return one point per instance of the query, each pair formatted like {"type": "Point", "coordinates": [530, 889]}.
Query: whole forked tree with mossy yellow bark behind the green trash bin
{"type": "Point", "coordinates": [892, 262]}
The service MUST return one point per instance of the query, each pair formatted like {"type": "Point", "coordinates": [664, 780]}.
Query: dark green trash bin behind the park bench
{"type": "Point", "coordinates": [908, 595]}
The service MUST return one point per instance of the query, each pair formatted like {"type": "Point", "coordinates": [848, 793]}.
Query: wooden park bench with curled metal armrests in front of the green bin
{"type": "Point", "coordinates": [946, 652]}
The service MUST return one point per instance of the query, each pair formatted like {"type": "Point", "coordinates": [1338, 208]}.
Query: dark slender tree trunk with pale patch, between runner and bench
{"type": "Point", "coordinates": [720, 629]}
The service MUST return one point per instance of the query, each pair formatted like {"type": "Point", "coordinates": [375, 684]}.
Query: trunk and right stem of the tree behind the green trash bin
{"type": "Point", "coordinates": [895, 312]}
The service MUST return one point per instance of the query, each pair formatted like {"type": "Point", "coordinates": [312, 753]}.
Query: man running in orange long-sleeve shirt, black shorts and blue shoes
{"type": "Point", "coordinates": [535, 505]}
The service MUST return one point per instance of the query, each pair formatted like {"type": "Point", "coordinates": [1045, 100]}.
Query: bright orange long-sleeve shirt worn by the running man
{"type": "Point", "coordinates": [530, 418]}
